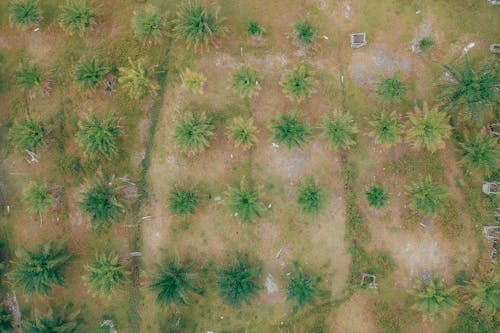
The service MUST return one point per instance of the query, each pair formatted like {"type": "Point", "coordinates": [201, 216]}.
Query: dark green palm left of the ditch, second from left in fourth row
{"type": "Point", "coordinates": [102, 203]}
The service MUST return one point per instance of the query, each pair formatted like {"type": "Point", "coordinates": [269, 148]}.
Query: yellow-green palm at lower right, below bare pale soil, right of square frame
{"type": "Point", "coordinates": [433, 299]}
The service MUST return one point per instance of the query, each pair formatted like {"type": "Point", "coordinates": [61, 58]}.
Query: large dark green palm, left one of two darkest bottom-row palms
{"type": "Point", "coordinates": [173, 283]}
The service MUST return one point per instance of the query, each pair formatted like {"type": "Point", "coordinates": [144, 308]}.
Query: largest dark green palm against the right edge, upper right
{"type": "Point", "coordinates": [474, 92]}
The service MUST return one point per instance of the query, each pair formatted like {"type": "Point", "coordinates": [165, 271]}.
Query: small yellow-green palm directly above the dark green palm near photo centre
{"type": "Point", "coordinates": [297, 83]}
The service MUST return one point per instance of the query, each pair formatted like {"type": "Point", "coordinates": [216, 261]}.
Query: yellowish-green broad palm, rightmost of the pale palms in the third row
{"type": "Point", "coordinates": [428, 129]}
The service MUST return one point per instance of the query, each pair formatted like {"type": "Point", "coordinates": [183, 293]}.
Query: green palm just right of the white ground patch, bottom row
{"type": "Point", "coordinates": [301, 287]}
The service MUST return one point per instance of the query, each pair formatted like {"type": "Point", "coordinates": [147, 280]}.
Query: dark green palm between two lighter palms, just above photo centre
{"type": "Point", "coordinates": [290, 131]}
